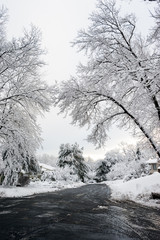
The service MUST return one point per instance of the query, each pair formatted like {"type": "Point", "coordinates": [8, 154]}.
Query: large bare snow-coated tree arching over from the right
{"type": "Point", "coordinates": [119, 84]}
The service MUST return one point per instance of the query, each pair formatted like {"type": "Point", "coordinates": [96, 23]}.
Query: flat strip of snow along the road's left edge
{"type": "Point", "coordinates": [37, 187]}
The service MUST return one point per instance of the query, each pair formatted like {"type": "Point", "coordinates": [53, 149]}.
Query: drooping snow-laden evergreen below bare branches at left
{"type": "Point", "coordinates": [18, 147]}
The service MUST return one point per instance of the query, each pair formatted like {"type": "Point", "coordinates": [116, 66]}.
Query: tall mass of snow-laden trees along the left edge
{"type": "Point", "coordinates": [23, 95]}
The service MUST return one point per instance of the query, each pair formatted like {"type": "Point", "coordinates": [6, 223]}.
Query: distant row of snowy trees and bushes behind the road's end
{"type": "Point", "coordinates": [125, 164]}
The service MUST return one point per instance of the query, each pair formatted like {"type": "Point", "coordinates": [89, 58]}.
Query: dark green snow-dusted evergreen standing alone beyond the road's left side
{"type": "Point", "coordinates": [72, 156]}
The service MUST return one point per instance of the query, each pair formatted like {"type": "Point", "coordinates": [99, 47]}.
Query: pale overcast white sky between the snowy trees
{"type": "Point", "coordinates": [59, 21]}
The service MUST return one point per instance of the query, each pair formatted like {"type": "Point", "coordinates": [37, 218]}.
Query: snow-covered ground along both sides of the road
{"type": "Point", "coordinates": [138, 190]}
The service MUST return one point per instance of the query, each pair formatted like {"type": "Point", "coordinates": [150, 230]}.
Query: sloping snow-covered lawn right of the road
{"type": "Point", "coordinates": [138, 190]}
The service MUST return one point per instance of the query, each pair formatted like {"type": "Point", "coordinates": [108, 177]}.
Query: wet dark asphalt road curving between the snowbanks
{"type": "Point", "coordinates": [85, 213]}
